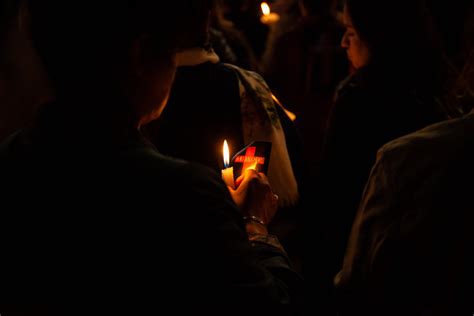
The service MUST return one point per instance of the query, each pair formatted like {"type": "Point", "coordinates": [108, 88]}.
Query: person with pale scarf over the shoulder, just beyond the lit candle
{"type": "Point", "coordinates": [211, 102]}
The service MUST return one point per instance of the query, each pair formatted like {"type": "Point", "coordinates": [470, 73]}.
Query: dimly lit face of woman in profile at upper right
{"type": "Point", "coordinates": [356, 49]}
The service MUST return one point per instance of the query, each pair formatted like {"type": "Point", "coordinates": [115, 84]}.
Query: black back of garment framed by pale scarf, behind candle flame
{"type": "Point", "coordinates": [203, 110]}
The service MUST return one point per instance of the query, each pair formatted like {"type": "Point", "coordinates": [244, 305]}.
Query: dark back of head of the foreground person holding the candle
{"type": "Point", "coordinates": [85, 42]}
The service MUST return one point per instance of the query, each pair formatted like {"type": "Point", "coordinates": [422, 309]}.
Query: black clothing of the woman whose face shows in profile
{"type": "Point", "coordinates": [366, 115]}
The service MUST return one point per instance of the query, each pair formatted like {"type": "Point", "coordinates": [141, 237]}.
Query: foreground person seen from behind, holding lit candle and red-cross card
{"type": "Point", "coordinates": [94, 216]}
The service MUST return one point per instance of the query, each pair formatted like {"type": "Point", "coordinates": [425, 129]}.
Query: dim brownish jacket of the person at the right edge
{"type": "Point", "coordinates": [411, 249]}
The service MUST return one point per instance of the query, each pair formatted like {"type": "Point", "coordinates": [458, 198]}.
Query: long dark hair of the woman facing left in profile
{"type": "Point", "coordinates": [402, 42]}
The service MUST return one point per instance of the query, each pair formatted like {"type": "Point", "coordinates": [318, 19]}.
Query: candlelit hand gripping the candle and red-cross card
{"type": "Point", "coordinates": [254, 196]}
